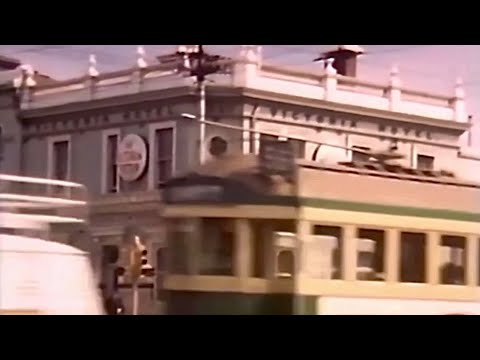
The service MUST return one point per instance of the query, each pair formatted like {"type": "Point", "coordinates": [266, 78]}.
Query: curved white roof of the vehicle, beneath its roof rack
{"type": "Point", "coordinates": [14, 243]}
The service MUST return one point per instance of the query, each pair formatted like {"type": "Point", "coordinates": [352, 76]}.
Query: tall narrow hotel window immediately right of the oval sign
{"type": "Point", "coordinates": [164, 154]}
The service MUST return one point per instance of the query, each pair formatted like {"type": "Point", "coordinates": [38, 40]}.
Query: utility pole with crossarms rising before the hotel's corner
{"type": "Point", "coordinates": [200, 65]}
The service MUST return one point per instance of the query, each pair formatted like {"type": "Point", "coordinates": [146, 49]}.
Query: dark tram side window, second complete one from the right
{"type": "Point", "coordinates": [412, 257]}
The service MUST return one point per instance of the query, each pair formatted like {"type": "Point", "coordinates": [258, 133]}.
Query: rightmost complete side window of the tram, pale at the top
{"type": "Point", "coordinates": [453, 260]}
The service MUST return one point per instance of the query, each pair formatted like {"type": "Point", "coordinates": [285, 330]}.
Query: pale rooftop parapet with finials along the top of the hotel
{"type": "Point", "coordinates": [248, 71]}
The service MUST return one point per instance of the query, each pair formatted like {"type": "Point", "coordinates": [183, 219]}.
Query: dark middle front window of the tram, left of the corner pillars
{"type": "Point", "coordinates": [217, 244]}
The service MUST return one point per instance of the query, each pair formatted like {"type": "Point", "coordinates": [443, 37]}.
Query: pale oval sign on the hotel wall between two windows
{"type": "Point", "coordinates": [131, 157]}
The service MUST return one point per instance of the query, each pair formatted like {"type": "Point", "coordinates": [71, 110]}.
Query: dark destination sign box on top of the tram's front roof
{"type": "Point", "coordinates": [277, 158]}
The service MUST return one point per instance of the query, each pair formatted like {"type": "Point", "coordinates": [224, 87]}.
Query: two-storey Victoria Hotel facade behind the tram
{"type": "Point", "coordinates": [77, 130]}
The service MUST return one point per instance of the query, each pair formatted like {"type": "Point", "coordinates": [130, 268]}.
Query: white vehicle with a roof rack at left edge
{"type": "Point", "coordinates": [38, 276]}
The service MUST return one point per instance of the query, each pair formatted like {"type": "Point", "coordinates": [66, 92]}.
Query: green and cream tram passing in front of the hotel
{"type": "Point", "coordinates": [351, 238]}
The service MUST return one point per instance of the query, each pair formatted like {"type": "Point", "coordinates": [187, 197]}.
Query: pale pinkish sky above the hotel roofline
{"type": "Point", "coordinates": [432, 68]}
